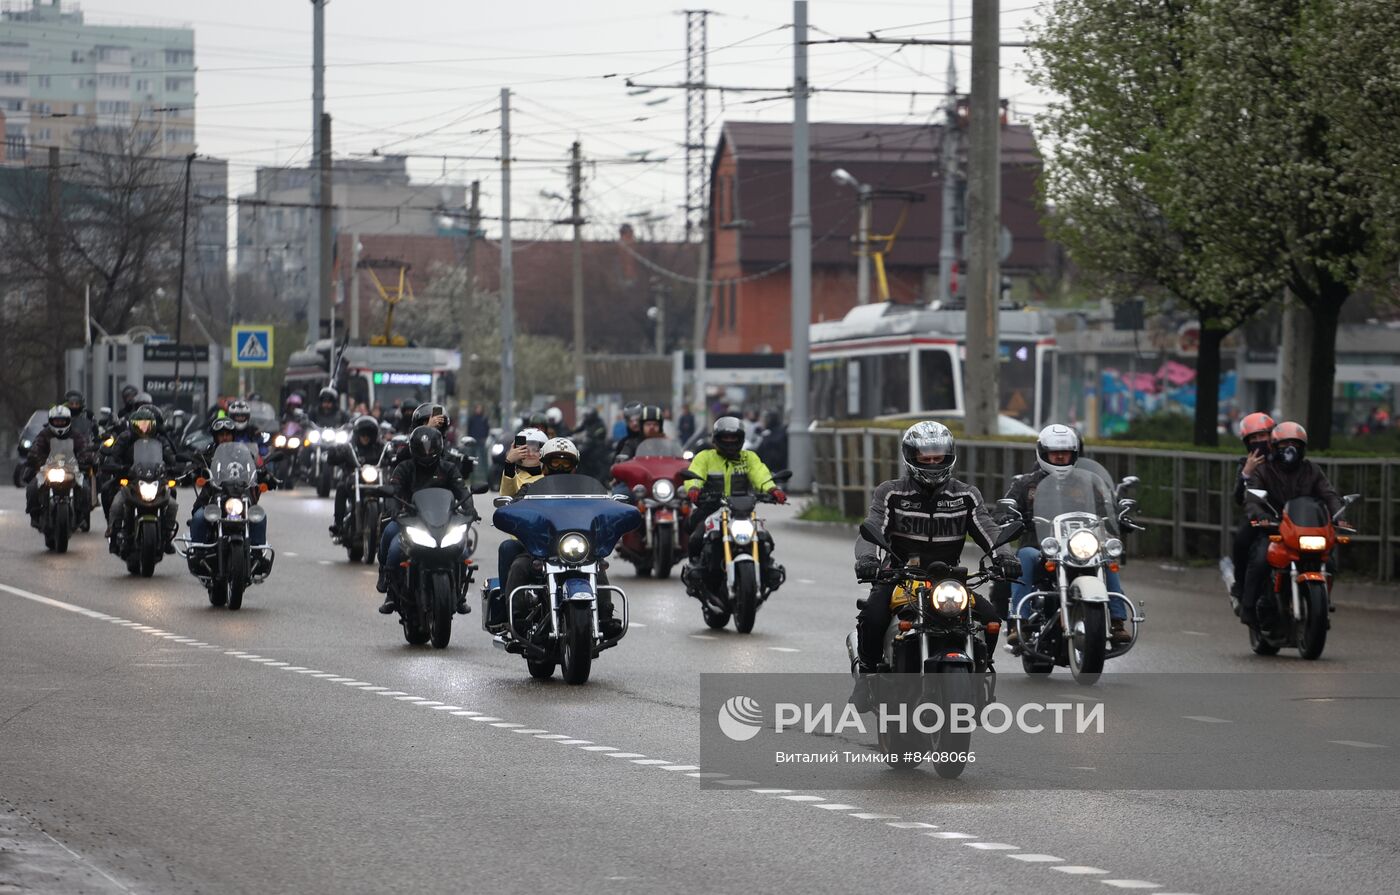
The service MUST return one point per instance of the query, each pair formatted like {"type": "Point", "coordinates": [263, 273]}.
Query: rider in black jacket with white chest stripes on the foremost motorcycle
{"type": "Point", "coordinates": [926, 516]}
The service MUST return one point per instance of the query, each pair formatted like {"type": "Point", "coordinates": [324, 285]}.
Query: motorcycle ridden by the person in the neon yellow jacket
{"type": "Point", "coordinates": [737, 551]}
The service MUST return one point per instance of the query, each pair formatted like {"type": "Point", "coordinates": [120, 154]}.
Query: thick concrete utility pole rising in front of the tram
{"type": "Point", "coordinates": [982, 389]}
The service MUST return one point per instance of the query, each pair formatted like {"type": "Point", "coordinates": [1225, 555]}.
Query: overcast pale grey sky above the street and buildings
{"type": "Point", "coordinates": [423, 78]}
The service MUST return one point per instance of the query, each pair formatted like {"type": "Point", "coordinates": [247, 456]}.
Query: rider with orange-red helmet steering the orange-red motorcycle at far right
{"type": "Point", "coordinates": [1286, 476]}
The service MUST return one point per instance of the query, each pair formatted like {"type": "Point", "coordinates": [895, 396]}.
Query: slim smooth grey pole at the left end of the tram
{"type": "Point", "coordinates": [800, 440]}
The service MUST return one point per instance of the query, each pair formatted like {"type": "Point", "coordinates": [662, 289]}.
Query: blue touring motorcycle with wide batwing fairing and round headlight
{"type": "Point", "coordinates": [569, 525]}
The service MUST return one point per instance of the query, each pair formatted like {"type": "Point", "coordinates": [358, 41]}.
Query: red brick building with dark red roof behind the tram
{"type": "Point", "coordinates": [752, 205]}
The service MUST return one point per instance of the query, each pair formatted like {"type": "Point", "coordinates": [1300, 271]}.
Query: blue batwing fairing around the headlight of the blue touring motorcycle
{"type": "Point", "coordinates": [538, 520]}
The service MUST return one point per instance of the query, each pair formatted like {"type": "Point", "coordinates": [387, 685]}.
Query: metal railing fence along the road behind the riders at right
{"type": "Point", "coordinates": [1185, 498]}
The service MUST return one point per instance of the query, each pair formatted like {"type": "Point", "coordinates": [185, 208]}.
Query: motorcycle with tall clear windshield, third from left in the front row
{"type": "Point", "coordinates": [230, 562]}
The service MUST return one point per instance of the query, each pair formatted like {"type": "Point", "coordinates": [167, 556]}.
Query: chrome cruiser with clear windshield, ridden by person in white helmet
{"type": "Point", "coordinates": [1065, 620]}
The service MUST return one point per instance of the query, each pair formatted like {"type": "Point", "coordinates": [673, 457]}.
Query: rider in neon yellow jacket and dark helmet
{"type": "Point", "coordinates": [726, 457]}
